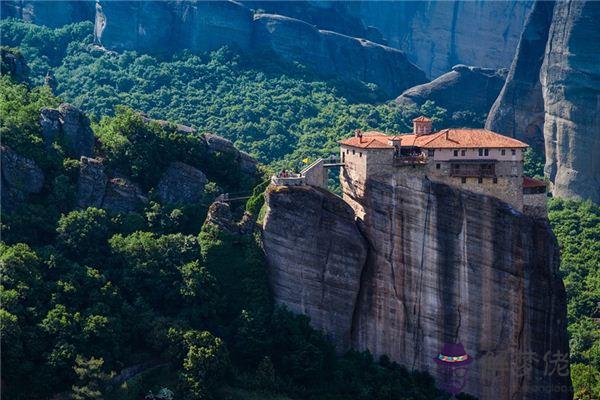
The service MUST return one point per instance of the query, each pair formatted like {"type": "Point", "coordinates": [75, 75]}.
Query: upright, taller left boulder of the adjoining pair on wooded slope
{"type": "Point", "coordinates": [92, 182]}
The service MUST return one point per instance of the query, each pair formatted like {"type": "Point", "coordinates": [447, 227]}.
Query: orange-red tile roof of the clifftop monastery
{"type": "Point", "coordinates": [444, 139]}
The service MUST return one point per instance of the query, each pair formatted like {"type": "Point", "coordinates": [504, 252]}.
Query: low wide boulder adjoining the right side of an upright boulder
{"type": "Point", "coordinates": [123, 196]}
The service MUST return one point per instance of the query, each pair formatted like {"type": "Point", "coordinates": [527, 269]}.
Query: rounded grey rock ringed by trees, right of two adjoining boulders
{"type": "Point", "coordinates": [181, 184]}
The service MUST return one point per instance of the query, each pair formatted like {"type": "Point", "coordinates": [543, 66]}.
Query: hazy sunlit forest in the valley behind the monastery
{"type": "Point", "coordinates": [274, 111]}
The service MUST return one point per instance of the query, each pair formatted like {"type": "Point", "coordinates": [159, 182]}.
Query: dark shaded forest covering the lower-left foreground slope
{"type": "Point", "coordinates": [89, 296]}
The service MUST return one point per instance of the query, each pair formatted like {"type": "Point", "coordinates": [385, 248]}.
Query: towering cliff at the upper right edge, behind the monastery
{"type": "Point", "coordinates": [554, 87]}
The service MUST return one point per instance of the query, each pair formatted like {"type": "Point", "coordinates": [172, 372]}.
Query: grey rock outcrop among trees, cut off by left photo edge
{"type": "Point", "coordinates": [20, 177]}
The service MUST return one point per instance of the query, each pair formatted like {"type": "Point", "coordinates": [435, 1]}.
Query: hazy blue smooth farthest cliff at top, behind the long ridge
{"type": "Point", "coordinates": [434, 34]}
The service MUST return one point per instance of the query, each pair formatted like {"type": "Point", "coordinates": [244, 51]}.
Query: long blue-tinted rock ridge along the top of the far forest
{"type": "Point", "coordinates": [202, 26]}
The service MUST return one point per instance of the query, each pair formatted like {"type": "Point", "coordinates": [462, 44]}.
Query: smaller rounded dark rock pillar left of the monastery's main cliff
{"type": "Point", "coordinates": [316, 256]}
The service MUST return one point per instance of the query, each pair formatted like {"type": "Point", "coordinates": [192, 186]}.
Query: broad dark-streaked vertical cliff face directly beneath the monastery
{"type": "Point", "coordinates": [447, 266]}
